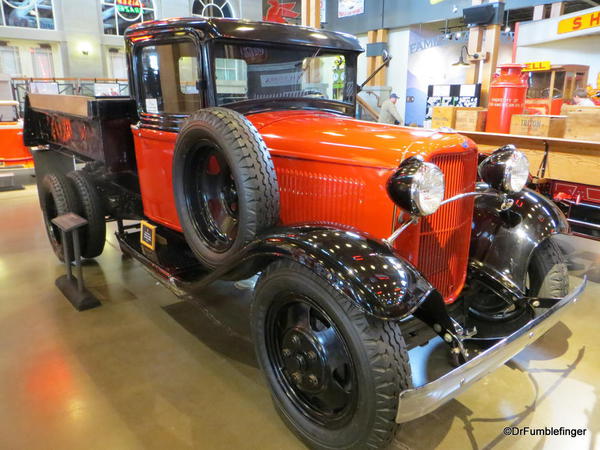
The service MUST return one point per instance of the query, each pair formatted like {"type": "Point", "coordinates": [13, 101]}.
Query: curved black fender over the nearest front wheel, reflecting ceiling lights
{"type": "Point", "coordinates": [367, 271]}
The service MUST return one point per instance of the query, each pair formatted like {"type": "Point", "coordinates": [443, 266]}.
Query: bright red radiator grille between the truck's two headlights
{"type": "Point", "coordinates": [445, 235]}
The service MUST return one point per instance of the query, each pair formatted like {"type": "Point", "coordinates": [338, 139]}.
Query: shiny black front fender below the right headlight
{"type": "Point", "coordinates": [502, 242]}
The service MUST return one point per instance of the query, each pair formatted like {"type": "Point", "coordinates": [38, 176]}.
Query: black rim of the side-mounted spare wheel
{"type": "Point", "coordinates": [213, 197]}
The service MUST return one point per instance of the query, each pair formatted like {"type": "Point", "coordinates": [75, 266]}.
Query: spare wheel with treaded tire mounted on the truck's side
{"type": "Point", "coordinates": [224, 184]}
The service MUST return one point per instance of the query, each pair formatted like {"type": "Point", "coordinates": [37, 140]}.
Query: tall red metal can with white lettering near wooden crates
{"type": "Point", "coordinates": [507, 97]}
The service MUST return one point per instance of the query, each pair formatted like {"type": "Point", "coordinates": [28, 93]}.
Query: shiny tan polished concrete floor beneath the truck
{"type": "Point", "coordinates": [146, 370]}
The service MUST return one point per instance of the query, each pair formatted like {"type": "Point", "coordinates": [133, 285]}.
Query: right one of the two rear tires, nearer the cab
{"type": "Point", "coordinates": [93, 235]}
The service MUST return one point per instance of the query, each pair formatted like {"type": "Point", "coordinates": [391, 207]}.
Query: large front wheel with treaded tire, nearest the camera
{"type": "Point", "coordinates": [335, 373]}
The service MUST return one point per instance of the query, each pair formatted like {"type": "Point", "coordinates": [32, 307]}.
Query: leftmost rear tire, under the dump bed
{"type": "Point", "coordinates": [57, 197]}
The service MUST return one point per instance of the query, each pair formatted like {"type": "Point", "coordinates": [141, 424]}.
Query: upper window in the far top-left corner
{"type": "Point", "coordinates": [28, 14]}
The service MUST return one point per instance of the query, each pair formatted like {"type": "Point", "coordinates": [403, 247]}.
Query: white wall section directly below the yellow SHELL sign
{"type": "Point", "coordinates": [582, 50]}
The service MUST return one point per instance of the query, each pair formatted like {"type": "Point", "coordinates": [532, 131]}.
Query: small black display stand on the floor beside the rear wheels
{"type": "Point", "coordinates": [73, 288]}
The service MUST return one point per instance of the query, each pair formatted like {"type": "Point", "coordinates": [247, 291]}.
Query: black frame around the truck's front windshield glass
{"type": "Point", "coordinates": [282, 103]}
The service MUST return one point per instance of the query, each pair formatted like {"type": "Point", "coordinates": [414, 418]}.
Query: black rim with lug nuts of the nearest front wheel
{"type": "Point", "coordinates": [311, 361]}
